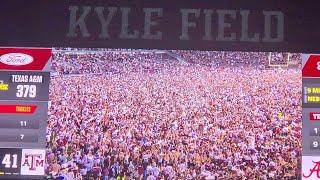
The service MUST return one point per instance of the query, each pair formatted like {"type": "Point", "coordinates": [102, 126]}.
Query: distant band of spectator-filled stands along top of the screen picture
{"type": "Point", "coordinates": [116, 61]}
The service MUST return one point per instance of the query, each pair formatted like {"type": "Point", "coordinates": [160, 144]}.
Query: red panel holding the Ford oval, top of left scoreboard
{"type": "Point", "coordinates": [24, 59]}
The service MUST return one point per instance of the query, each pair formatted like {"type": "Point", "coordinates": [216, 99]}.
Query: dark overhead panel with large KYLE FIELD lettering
{"type": "Point", "coordinates": [270, 25]}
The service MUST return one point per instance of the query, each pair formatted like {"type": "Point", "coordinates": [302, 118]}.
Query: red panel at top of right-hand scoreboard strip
{"type": "Point", "coordinates": [312, 67]}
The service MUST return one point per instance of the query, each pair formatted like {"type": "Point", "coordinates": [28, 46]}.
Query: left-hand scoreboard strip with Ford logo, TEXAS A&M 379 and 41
{"type": "Point", "coordinates": [24, 97]}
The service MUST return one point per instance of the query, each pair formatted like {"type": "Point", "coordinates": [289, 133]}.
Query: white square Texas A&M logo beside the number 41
{"type": "Point", "coordinates": [32, 162]}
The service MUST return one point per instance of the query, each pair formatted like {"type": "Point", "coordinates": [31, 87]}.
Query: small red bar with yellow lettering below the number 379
{"type": "Point", "coordinates": [17, 109]}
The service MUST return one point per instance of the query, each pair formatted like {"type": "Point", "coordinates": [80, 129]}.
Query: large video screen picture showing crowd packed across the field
{"type": "Point", "coordinates": [174, 114]}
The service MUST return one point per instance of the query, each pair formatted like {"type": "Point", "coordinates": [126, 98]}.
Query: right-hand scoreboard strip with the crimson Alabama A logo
{"type": "Point", "coordinates": [310, 116]}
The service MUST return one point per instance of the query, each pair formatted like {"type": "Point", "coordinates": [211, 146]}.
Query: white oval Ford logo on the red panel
{"type": "Point", "coordinates": [16, 59]}
